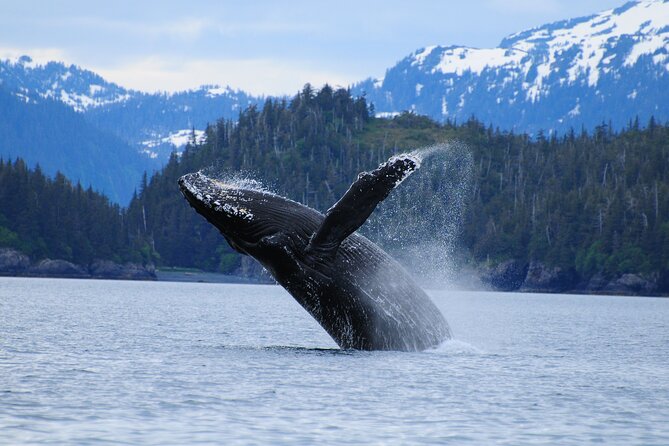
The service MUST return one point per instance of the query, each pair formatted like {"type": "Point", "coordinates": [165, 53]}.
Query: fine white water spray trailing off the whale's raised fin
{"type": "Point", "coordinates": [419, 223]}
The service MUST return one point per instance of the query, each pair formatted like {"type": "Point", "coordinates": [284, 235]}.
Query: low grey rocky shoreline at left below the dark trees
{"type": "Point", "coordinates": [15, 263]}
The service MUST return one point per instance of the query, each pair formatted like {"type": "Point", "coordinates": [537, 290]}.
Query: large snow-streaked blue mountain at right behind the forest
{"type": "Point", "coordinates": [611, 67]}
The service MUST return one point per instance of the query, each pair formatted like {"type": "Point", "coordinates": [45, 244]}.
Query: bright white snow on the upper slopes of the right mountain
{"type": "Point", "coordinates": [543, 49]}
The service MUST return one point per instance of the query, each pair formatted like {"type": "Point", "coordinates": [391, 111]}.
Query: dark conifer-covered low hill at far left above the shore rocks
{"type": "Point", "coordinates": [52, 218]}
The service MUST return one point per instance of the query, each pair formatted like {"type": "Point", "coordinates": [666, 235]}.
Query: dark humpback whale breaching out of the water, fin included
{"type": "Point", "coordinates": [361, 296]}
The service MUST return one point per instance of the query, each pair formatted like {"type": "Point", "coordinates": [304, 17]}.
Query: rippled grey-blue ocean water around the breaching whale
{"type": "Point", "coordinates": [91, 361]}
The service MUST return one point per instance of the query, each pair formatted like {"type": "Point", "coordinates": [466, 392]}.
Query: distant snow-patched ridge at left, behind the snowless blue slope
{"type": "Point", "coordinates": [152, 123]}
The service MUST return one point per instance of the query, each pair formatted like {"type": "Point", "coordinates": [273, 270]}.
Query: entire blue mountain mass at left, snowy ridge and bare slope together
{"type": "Point", "coordinates": [71, 120]}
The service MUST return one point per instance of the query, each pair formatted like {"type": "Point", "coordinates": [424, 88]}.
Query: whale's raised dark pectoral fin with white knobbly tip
{"type": "Point", "coordinates": [357, 204]}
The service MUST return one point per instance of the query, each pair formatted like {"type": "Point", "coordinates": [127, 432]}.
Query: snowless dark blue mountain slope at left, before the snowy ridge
{"type": "Point", "coordinates": [53, 135]}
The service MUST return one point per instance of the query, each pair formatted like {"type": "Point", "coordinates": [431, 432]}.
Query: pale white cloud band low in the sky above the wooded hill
{"type": "Point", "coordinates": [257, 76]}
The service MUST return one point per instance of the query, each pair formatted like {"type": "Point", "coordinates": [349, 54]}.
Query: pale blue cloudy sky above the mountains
{"type": "Point", "coordinates": [262, 47]}
